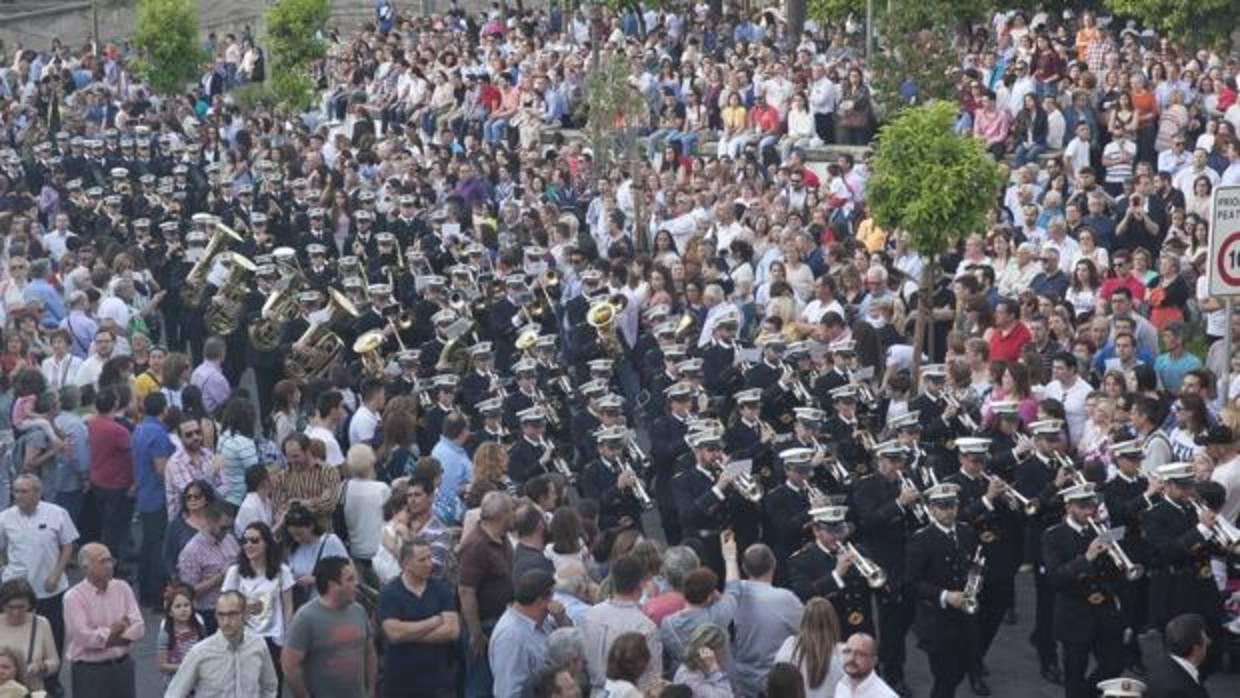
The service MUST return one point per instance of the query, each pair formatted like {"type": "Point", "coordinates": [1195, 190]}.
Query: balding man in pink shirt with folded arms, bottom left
{"type": "Point", "coordinates": [104, 622]}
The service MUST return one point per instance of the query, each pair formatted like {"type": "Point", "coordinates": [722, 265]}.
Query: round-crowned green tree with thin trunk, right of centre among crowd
{"type": "Point", "coordinates": [934, 184]}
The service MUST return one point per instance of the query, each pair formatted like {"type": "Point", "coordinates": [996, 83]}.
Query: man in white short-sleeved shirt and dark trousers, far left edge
{"type": "Point", "coordinates": [37, 540]}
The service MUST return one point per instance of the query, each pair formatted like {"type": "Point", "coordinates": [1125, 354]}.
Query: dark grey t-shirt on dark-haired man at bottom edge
{"type": "Point", "coordinates": [335, 644]}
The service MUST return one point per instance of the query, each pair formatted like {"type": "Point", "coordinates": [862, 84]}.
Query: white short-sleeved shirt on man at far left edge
{"type": "Point", "coordinates": [33, 545]}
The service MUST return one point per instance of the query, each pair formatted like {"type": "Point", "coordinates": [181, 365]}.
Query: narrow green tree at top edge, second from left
{"type": "Point", "coordinates": [294, 43]}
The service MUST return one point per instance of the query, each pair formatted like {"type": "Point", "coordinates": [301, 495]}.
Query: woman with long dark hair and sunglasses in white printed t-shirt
{"type": "Point", "coordinates": [267, 583]}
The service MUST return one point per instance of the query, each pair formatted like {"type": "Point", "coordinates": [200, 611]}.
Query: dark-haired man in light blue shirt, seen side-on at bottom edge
{"type": "Point", "coordinates": [519, 645]}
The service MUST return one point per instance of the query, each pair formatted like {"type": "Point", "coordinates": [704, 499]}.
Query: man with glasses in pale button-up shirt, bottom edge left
{"type": "Point", "coordinates": [231, 664]}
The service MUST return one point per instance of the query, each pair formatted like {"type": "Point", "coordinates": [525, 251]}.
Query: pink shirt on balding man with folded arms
{"type": "Point", "coordinates": [89, 618]}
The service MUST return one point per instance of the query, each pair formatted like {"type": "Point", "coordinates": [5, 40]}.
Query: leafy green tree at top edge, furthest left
{"type": "Point", "coordinates": [167, 38]}
